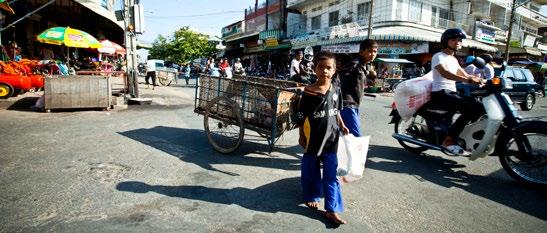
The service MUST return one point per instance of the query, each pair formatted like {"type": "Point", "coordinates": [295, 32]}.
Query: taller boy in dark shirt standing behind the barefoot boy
{"type": "Point", "coordinates": [352, 82]}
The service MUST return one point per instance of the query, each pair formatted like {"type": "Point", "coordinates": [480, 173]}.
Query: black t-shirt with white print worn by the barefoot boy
{"type": "Point", "coordinates": [318, 118]}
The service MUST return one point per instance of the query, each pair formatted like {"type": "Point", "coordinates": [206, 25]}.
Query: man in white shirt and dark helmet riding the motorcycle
{"type": "Point", "coordinates": [446, 71]}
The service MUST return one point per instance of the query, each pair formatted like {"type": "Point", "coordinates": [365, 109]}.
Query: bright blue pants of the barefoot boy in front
{"type": "Point", "coordinates": [313, 185]}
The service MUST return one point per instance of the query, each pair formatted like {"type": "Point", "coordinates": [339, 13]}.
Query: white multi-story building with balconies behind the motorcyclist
{"type": "Point", "coordinates": [412, 28]}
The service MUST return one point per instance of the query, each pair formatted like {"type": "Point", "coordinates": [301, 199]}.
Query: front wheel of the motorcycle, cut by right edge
{"type": "Point", "coordinates": [527, 169]}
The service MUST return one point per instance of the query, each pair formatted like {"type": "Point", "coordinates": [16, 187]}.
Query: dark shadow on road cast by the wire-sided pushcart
{"type": "Point", "coordinates": [191, 145]}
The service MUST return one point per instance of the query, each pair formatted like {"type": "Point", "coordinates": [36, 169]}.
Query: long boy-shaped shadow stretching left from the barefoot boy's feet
{"type": "Point", "coordinates": [279, 196]}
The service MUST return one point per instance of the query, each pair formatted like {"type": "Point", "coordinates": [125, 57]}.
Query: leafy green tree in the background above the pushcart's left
{"type": "Point", "coordinates": [183, 46]}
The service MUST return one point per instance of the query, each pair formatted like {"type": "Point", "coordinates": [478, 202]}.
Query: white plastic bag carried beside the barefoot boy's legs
{"type": "Point", "coordinates": [352, 155]}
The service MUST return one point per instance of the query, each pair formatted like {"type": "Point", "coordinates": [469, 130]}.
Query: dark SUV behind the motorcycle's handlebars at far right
{"type": "Point", "coordinates": [525, 90]}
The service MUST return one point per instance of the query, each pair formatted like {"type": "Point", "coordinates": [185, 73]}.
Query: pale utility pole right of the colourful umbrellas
{"type": "Point", "coordinates": [130, 48]}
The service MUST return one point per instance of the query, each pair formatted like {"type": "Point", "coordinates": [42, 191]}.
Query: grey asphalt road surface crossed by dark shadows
{"type": "Point", "coordinates": [150, 168]}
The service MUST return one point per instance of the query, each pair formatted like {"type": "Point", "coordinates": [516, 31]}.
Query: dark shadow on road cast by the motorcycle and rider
{"type": "Point", "coordinates": [497, 186]}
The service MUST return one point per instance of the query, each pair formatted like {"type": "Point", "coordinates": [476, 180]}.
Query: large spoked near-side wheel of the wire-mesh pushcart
{"type": "Point", "coordinates": [223, 124]}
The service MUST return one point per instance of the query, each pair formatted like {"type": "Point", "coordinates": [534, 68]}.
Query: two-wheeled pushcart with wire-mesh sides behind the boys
{"type": "Point", "coordinates": [229, 106]}
